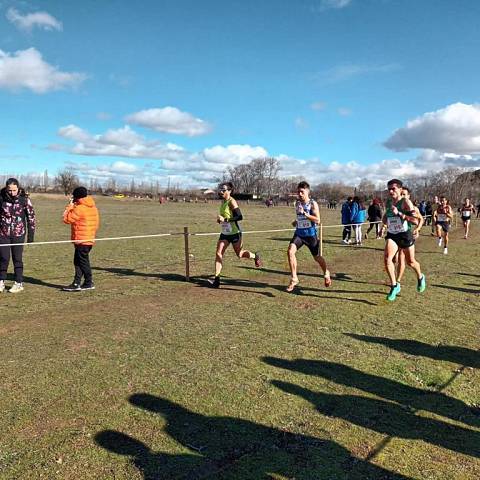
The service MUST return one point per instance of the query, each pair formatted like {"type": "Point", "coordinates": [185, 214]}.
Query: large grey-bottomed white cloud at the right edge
{"type": "Point", "coordinates": [453, 129]}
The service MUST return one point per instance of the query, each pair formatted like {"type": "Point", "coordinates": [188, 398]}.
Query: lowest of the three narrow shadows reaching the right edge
{"type": "Point", "coordinates": [389, 419]}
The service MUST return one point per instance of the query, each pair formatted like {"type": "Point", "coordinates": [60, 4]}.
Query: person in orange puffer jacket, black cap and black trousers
{"type": "Point", "coordinates": [82, 214]}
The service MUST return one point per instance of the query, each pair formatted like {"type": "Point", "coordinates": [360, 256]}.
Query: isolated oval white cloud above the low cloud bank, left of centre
{"type": "Point", "coordinates": [169, 120]}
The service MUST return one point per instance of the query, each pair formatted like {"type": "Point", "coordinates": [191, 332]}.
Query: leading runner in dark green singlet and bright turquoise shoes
{"type": "Point", "coordinates": [399, 217]}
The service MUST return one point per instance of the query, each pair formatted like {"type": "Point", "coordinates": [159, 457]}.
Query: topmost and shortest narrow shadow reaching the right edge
{"type": "Point", "coordinates": [449, 353]}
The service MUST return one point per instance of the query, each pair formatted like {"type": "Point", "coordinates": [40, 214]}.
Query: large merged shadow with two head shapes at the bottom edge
{"type": "Point", "coordinates": [224, 447]}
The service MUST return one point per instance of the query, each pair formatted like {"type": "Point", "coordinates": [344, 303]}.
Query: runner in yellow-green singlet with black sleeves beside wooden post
{"type": "Point", "coordinates": [228, 219]}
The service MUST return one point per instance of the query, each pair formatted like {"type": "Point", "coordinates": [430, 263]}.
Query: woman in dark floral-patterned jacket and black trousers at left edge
{"type": "Point", "coordinates": [17, 224]}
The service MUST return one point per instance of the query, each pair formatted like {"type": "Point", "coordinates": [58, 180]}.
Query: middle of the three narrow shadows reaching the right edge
{"type": "Point", "coordinates": [411, 397]}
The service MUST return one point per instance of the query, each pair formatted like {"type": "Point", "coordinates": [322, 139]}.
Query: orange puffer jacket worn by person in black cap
{"type": "Point", "coordinates": [83, 216]}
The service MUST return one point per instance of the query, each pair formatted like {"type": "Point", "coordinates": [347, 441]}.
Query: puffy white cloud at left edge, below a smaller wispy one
{"type": "Point", "coordinates": [26, 69]}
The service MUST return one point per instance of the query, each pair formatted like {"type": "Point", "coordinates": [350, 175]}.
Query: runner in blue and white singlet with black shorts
{"type": "Point", "coordinates": [308, 216]}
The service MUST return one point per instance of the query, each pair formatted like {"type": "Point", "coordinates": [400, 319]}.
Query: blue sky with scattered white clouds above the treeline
{"type": "Point", "coordinates": [177, 91]}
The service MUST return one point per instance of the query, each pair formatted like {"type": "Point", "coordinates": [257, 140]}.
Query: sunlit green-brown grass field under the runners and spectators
{"type": "Point", "coordinates": [150, 377]}
